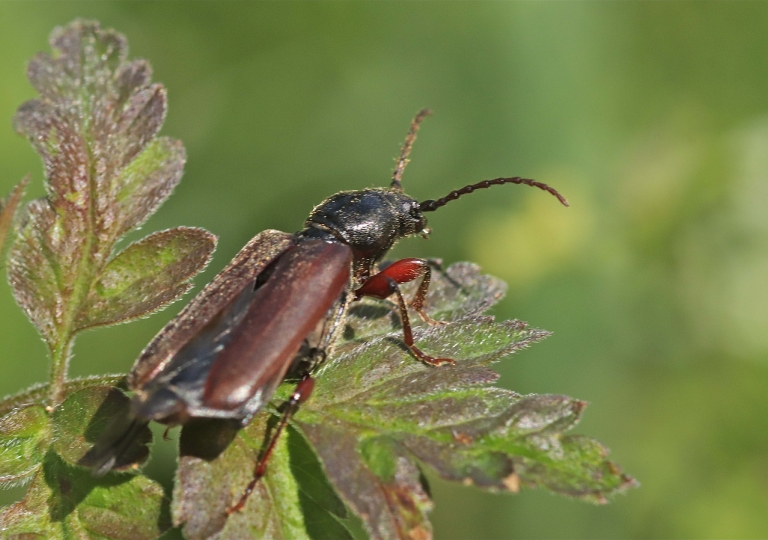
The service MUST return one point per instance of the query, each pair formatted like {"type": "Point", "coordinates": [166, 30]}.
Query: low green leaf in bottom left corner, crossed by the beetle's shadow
{"type": "Point", "coordinates": [65, 500]}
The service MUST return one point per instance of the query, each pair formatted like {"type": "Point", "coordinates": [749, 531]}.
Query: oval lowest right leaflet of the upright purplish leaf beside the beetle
{"type": "Point", "coordinates": [147, 275]}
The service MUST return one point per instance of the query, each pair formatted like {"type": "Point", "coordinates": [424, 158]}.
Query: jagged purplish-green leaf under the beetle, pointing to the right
{"type": "Point", "coordinates": [377, 417]}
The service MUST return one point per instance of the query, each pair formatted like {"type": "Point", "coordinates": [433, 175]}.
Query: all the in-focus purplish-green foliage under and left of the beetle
{"type": "Point", "coordinates": [353, 462]}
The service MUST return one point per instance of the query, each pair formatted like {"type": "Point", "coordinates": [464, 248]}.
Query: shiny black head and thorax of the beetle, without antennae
{"type": "Point", "coordinates": [369, 221]}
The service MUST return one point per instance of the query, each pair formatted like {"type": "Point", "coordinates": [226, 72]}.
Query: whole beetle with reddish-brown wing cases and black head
{"type": "Point", "coordinates": [278, 308]}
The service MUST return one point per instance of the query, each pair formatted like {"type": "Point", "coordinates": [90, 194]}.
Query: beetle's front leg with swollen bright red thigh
{"type": "Point", "coordinates": [402, 271]}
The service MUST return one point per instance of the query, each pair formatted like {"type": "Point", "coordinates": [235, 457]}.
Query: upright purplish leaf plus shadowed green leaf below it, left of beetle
{"type": "Point", "coordinates": [95, 126]}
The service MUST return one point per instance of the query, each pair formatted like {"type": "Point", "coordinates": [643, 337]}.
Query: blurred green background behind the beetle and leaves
{"type": "Point", "coordinates": [651, 117]}
